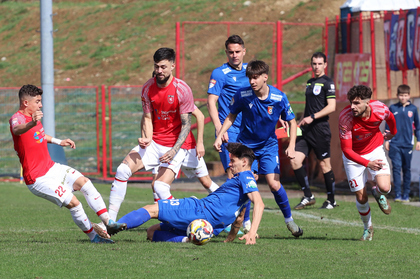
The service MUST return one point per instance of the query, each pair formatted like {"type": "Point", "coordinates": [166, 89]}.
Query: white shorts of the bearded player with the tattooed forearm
{"type": "Point", "coordinates": [151, 154]}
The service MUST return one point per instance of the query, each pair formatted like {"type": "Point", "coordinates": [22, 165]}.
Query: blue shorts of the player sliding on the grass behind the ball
{"type": "Point", "coordinates": [179, 213]}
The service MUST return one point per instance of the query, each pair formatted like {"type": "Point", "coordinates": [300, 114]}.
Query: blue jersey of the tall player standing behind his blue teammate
{"type": "Point", "coordinates": [224, 82]}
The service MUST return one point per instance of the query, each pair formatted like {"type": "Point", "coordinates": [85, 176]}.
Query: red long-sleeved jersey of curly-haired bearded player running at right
{"type": "Point", "coordinates": [360, 136]}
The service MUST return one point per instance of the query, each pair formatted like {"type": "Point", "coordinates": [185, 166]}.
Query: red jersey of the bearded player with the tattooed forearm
{"type": "Point", "coordinates": [166, 106]}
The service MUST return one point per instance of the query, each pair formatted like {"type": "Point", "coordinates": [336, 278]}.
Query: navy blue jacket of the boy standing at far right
{"type": "Point", "coordinates": [405, 118]}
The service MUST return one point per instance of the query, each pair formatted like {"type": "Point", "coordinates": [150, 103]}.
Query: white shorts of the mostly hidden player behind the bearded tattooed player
{"type": "Point", "coordinates": [191, 166]}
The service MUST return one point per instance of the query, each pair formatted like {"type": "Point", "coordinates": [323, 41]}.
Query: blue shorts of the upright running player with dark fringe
{"type": "Point", "coordinates": [268, 159]}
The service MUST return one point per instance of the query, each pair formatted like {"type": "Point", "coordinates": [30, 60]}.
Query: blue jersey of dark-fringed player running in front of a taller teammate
{"type": "Point", "coordinates": [260, 117]}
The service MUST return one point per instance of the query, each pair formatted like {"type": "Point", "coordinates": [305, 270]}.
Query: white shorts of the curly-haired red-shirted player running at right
{"type": "Point", "coordinates": [357, 174]}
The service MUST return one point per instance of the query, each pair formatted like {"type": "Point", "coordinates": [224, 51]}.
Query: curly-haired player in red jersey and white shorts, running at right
{"type": "Point", "coordinates": [363, 152]}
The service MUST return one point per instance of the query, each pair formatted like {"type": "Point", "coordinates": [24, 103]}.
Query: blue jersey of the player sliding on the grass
{"type": "Point", "coordinates": [223, 205]}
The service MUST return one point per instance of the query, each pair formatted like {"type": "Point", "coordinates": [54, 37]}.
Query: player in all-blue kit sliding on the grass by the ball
{"type": "Point", "coordinates": [222, 207]}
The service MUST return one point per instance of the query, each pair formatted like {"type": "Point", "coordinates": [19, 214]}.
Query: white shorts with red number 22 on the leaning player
{"type": "Point", "coordinates": [56, 185]}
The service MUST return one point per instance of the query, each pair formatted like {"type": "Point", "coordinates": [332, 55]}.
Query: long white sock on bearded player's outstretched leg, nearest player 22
{"type": "Point", "coordinates": [118, 190]}
